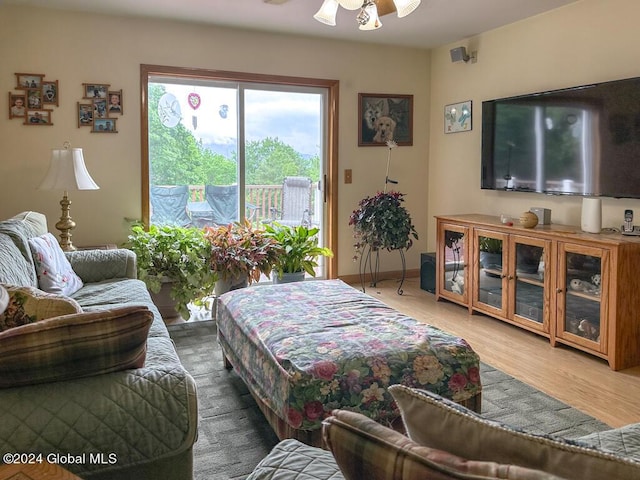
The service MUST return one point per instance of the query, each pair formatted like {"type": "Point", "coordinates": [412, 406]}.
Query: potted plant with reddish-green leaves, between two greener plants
{"type": "Point", "coordinates": [240, 254]}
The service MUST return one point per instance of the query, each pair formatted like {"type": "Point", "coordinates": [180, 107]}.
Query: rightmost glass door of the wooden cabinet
{"type": "Point", "coordinates": [582, 309]}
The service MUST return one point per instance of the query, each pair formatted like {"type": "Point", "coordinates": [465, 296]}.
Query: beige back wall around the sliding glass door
{"type": "Point", "coordinates": [77, 48]}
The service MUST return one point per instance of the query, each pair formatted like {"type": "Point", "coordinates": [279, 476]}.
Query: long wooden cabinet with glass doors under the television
{"type": "Point", "coordinates": [577, 289]}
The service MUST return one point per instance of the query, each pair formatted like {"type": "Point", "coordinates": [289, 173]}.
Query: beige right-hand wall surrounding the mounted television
{"type": "Point", "coordinates": [589, 41]}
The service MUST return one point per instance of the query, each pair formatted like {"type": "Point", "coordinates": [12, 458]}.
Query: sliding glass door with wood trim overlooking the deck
{"type": "Point", "coordinates": [221, 150]}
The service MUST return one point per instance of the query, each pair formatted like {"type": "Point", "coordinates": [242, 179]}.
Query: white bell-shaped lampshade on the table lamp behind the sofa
{"type": "Point", "coordinates": [67, 171]}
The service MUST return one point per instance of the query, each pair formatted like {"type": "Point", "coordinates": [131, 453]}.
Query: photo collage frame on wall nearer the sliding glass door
{"type": "Point", "coordinates": [100, 108]}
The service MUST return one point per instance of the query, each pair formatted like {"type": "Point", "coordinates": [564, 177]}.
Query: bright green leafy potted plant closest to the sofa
{"type": "Point", "coordinates": [173, 260]}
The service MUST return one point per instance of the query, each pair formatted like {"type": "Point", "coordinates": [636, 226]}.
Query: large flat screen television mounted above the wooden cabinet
{"type": "Point", "coordinates": [577, 141]}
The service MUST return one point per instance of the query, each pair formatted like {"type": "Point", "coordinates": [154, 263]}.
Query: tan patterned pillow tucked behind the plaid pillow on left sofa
{"type": "Point", "coordinates": [28, 305]}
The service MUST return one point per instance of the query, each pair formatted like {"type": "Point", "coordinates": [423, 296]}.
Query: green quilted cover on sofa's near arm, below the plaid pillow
{"type": "Point", "coordinates": [129, 417]}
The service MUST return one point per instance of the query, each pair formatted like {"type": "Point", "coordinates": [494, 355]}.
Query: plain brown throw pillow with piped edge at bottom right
{"type": "Point", "coordinates": [436, 422]}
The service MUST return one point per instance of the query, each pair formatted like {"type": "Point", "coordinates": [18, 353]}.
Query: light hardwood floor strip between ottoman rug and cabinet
{"type": "Point", "coordinates": [573, 377]}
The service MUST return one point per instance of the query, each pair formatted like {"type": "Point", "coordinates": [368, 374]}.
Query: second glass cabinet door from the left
{"type": "Point", "coordinates": [489, 273]}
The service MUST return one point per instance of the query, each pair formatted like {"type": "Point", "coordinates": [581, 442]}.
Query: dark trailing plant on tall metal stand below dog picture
{"type": "Point", "coordinates": [382, 222]}
